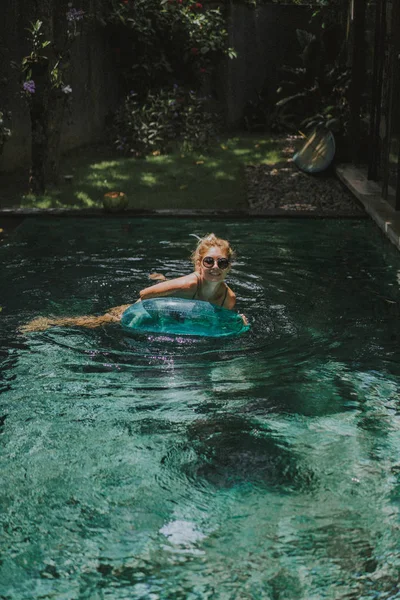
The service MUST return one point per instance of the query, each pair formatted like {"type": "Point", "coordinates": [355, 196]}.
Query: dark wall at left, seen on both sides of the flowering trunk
{"type": "Point", "coordinates": [92, 79]}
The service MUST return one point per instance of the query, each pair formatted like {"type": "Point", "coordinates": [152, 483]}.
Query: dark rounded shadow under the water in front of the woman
{"type": "Point", "coordinates": [229, 451]}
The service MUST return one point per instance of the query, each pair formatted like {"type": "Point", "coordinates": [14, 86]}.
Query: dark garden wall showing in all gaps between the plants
{"type": "Point", "coordinates": [265, 39]}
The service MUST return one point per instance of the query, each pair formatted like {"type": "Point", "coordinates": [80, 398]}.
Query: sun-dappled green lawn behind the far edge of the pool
{"type": "Point", "coordinates": [174, 181]}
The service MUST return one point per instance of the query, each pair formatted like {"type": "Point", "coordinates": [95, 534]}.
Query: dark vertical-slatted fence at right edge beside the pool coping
{"type": "Point", "coordinates": [379, 30]}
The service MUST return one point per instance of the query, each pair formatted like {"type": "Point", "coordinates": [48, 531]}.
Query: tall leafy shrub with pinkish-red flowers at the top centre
{"type": "Point", "coordinates": [163, 41]}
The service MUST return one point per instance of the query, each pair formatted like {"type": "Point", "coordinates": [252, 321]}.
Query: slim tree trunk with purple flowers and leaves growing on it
{"type": "Point", "coordinates": [45, 68]}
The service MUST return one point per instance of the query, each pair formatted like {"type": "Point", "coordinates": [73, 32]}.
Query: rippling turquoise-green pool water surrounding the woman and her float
{"type": "Point", "coordinates": [261, 467]}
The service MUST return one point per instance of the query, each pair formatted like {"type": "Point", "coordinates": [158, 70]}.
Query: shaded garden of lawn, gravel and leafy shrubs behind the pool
{"type": "Point", "coordinates": [166, 143]}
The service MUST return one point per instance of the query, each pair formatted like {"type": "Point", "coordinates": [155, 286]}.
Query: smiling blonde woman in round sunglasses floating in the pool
{"type": "Point", "coordinates": [212, 261]}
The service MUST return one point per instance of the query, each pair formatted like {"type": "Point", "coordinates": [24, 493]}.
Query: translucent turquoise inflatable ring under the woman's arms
{"type": "Point", "coordinates": [181, 317]}
